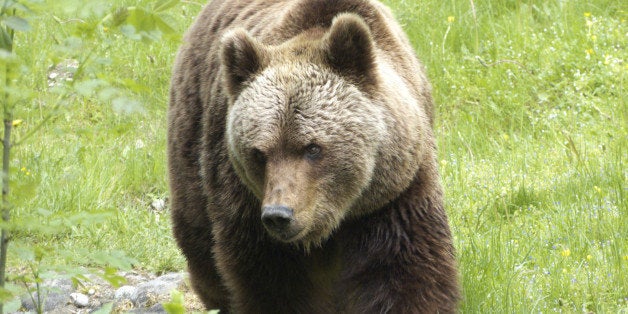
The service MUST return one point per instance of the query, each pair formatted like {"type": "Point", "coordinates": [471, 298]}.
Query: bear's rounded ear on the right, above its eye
{"type": "Point", "coordinates": [349, 48]}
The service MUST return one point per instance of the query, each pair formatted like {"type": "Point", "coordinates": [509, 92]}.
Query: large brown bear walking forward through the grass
{"type": "Point", "coordinates": [302, 162]}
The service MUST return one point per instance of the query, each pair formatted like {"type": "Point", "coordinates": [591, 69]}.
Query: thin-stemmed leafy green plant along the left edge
{"type": "Point", "coordinates": [76, 75]}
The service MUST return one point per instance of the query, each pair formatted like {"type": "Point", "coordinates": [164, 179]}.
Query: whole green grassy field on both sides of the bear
{"type": "Point", "coordinates": [533, 143]}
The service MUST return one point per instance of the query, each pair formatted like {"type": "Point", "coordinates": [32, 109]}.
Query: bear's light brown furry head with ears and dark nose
{"type": "Point", "coordinates": [303, 131]}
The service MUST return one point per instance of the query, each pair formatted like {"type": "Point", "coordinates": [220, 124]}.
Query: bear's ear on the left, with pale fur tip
{"type": "Point", "coordinates": [242, 57]}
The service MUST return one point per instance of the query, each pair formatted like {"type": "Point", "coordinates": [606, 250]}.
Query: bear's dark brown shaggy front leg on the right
{"type": "Point", "coordinates": [403, 261]}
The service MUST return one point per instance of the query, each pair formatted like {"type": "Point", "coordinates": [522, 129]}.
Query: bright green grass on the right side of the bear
{"type": "Point", "coordinates": [532, 128]}
